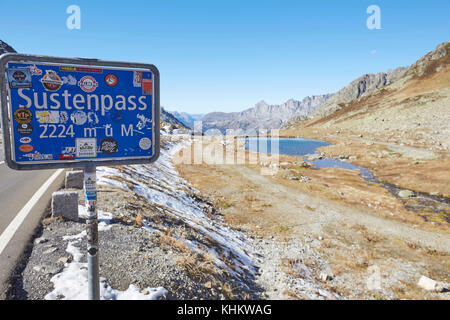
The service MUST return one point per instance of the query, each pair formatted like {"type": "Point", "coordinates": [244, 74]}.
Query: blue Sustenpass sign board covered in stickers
{"type": "Point", "coordinates": [71, 112]}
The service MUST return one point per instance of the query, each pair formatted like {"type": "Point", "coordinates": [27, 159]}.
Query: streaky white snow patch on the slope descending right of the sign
{"type": "Point", "coordinates": [165, 191]}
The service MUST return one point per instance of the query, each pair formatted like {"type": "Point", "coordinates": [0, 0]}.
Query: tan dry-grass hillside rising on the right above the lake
{"type": "Point", "coordinates": [415, 102]}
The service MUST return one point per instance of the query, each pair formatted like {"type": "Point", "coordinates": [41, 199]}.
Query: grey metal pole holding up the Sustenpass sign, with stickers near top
{"type": "Point", "coordinates": [90, 189]}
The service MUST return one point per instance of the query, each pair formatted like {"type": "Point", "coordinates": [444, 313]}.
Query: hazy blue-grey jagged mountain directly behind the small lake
{"type": "Point", "coordinates": [262, 115]}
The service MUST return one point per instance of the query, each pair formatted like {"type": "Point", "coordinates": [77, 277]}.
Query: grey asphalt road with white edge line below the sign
{"type": "Point", "coordinates": [17, 188]}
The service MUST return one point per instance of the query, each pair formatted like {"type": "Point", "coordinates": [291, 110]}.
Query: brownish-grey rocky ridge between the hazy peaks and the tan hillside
{"type": "Point", "coordinates": [358, 88]}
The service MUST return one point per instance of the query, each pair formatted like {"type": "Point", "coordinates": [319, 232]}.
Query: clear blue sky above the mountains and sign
{"type": "Point", "coordinates": [227, 55]}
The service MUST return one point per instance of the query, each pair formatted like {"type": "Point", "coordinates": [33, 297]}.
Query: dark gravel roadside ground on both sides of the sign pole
{"type": "Point", "coordinates": [129, 254]}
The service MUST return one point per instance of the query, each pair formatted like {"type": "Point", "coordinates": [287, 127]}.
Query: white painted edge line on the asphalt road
{"type": "Point", "coordinates": [9, 232]}
